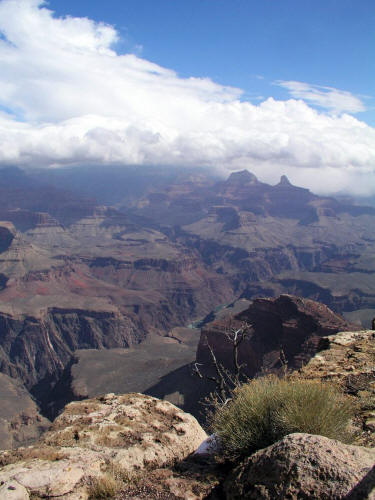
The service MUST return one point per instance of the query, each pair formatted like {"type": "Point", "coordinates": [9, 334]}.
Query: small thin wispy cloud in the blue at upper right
{"type": "Point", "coordinates": [338, 101]}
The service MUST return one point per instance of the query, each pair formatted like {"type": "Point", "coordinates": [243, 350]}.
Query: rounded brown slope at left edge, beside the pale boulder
{"type": "Point", "coordinates": [20, 420]}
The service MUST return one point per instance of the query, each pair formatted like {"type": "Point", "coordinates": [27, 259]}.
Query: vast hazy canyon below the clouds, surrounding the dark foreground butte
{"type": "Point", "coordinates": [86, 285]}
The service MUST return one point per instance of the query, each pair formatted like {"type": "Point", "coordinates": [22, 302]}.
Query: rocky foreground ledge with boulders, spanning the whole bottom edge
{"type": "Point", "coordinates": [135, 446]}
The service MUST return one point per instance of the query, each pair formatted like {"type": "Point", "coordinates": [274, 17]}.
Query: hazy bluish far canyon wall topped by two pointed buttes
{"type": "Point", "coordinates": [277, 239]}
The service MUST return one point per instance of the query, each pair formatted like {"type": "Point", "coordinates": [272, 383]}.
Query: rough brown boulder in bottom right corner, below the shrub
{"type": "Point", "coordinates": [304, 466]}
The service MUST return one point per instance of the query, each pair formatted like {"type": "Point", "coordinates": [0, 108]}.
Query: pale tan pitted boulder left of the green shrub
{"type": "Point", "coordinates": [137, 429]}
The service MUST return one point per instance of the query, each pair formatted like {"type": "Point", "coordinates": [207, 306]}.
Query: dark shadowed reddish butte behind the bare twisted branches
{"type": "Point", "coordinates": [287, 328]}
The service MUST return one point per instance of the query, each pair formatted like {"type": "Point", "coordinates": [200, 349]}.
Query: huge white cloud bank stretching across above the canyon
{"type": "Point", "coordinates": [67, 97]}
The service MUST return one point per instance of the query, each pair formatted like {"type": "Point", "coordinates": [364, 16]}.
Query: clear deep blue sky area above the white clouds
{"type": "Point", "coordinates": [250, 44]}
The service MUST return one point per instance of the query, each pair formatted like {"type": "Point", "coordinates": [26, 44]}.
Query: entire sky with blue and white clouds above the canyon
{"type": "Point", "coordinates": [274, 86]}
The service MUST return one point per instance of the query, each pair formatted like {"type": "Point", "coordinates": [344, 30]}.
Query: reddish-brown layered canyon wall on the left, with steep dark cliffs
{"type": "Point", "coordinates": [104, 283]}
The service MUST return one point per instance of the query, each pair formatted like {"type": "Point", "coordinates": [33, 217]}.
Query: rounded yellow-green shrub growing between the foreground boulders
{"type": "Point", "coordinates": [268, 408]}
